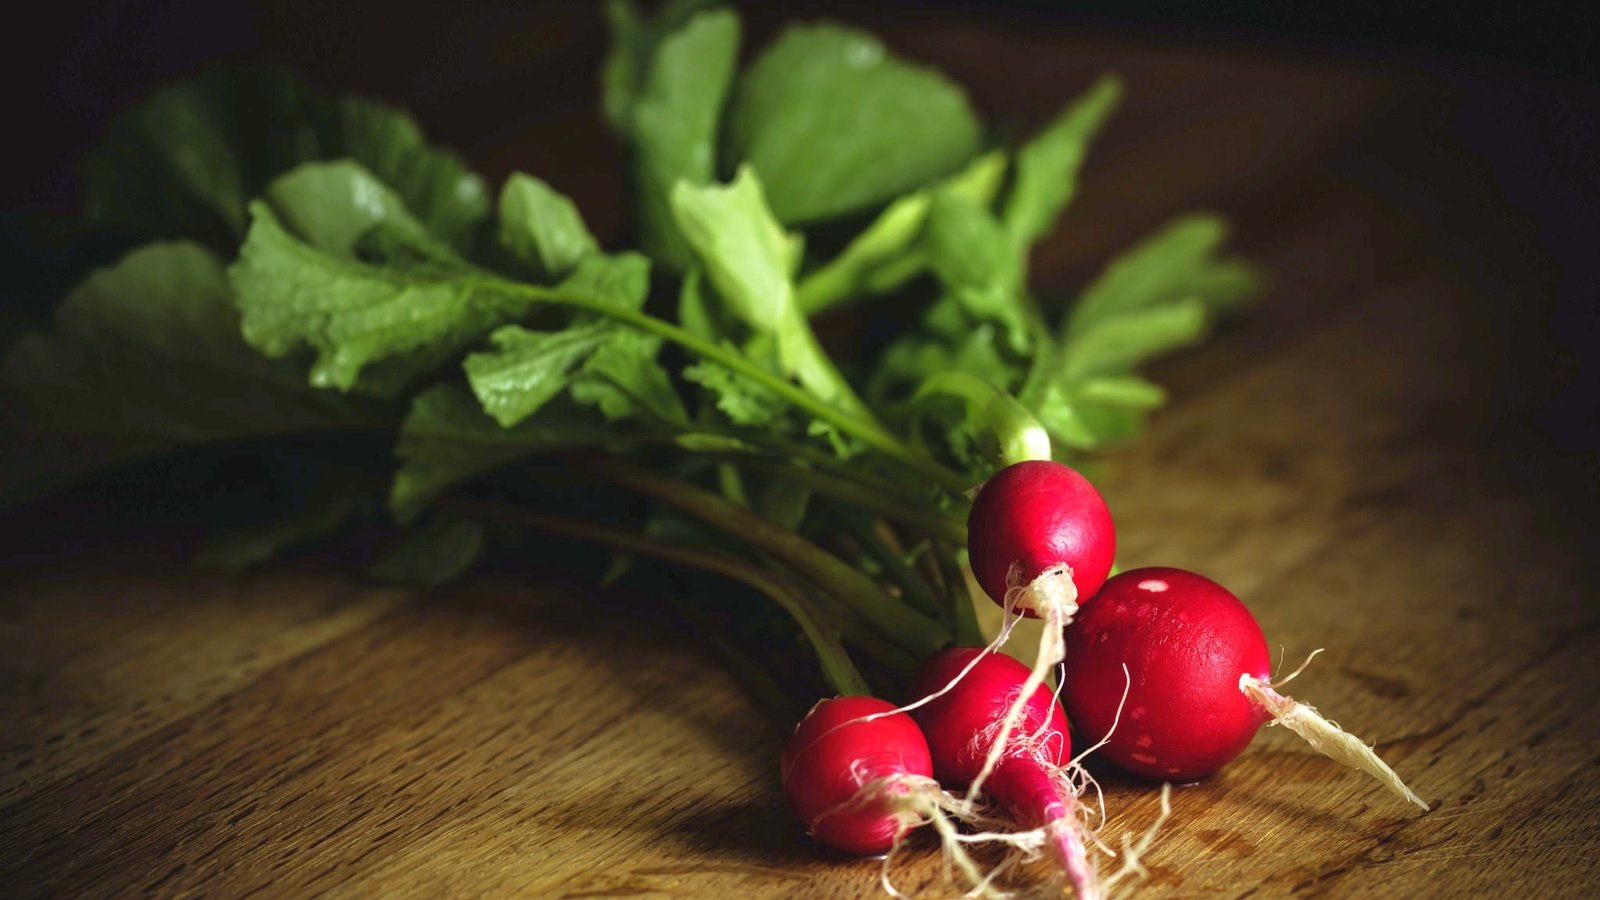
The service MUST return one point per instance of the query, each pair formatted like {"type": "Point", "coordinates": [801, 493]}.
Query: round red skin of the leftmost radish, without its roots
{"type": "Point", "coordinates": [825, 766]}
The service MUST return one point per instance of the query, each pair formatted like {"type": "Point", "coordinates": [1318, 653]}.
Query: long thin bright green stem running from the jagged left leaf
{"type": "Point", "coordinates": [870, 433]}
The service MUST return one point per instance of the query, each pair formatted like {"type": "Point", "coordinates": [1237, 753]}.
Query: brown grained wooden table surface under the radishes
{"type": "Point", "coordinates": [1382, 460]}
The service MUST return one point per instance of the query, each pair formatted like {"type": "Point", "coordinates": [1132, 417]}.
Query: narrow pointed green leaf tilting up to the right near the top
{"type": "Point", "coordinates": [1047, 167]}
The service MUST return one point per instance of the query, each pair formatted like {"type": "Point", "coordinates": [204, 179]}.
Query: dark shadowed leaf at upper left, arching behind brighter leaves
{"type": "Point", "coordinates": [188, 161]}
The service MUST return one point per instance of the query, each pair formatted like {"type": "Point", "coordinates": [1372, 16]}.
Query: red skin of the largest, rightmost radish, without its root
{"type": "Point", "coordinates": [1186, 646]}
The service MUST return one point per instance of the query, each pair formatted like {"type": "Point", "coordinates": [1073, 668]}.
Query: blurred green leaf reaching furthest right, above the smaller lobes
{"type": "Point", "coordinates": [1175, 263]}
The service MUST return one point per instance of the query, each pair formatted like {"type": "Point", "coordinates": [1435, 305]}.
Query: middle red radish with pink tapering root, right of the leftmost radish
{"type": "Point", "coordinates": [964, 718]}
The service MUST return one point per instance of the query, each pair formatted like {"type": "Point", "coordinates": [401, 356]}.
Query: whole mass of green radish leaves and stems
{"type": "Point", "coordinates": [318, 267]}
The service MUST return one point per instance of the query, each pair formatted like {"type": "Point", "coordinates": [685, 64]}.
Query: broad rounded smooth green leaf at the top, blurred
{"type": "Point", "coordinates": [838, 126]}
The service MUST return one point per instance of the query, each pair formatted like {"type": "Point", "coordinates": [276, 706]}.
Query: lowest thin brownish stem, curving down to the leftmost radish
{"type": "Point", "coordinates": [830, 653]}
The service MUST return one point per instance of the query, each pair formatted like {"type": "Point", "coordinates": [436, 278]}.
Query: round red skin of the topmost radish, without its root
{"type": "Point", "coordinates": [1041, 515]}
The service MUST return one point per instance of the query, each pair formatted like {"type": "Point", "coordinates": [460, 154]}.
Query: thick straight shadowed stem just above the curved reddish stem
{"type": "Point", "coordinates": [898, 622]}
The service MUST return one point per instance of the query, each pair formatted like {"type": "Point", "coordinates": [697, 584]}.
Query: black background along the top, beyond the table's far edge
{"type": "Point", "coordinates": [73, 63]}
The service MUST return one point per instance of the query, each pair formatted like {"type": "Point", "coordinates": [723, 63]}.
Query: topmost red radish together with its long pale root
{"type": "Point", "coordinates": [1039, 537]}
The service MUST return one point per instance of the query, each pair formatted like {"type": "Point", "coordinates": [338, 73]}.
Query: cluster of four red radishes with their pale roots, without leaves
{"type": "Point", "coordinates": [1162, 670]}
